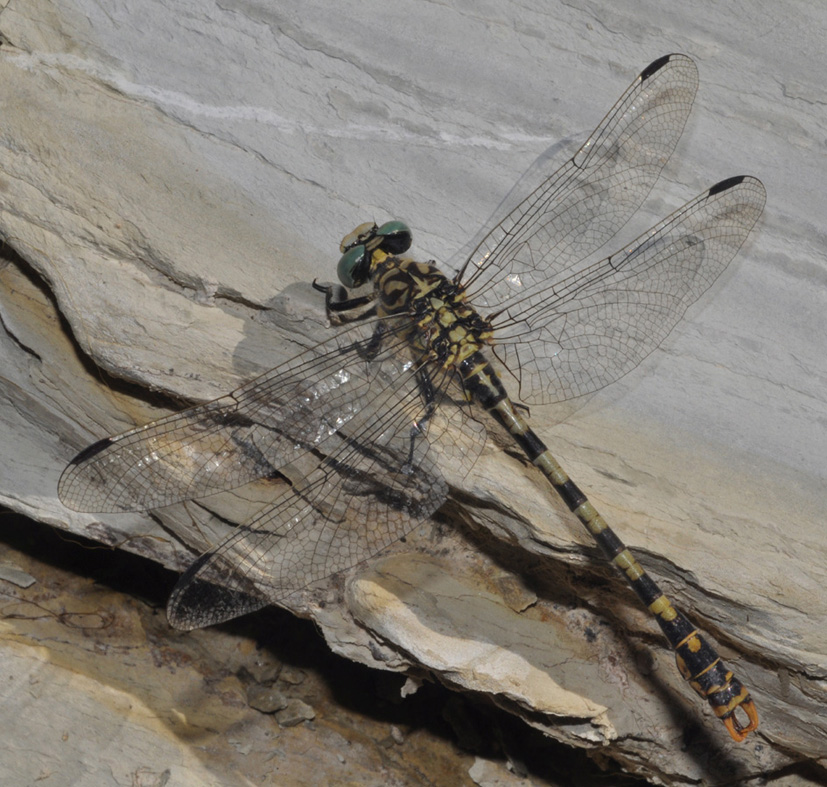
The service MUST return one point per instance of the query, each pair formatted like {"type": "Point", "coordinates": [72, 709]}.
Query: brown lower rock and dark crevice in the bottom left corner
{"type": "Point", "coordinates": [97, 691]}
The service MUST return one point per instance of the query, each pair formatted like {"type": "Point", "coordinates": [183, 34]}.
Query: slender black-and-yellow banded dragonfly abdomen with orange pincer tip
{"type": "Point", "coordinates": [697, 660]}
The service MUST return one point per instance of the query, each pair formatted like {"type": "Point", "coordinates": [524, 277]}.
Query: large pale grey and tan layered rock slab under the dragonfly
{"type": "Point", "coordinates": [173, 181]}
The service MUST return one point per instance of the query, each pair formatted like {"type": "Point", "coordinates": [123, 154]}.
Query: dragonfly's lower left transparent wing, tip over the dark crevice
{"type": "Point", "coordinates": [378, 482]}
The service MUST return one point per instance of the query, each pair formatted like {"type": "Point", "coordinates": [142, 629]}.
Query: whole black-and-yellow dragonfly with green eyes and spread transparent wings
{"type": "Point", "coordinates": [358, 427]}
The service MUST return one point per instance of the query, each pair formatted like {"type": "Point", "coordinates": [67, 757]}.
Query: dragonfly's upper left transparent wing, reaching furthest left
{"type": "Point", "coordinates": [241, 437]}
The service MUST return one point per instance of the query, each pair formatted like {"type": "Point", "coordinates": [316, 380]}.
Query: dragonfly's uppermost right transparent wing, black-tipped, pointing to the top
{"type": "Point", "coordinates": [583, 204]}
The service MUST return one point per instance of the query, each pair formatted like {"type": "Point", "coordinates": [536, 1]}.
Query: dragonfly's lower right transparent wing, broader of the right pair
{"type": "Point", "coordinates": [586, 327]}
